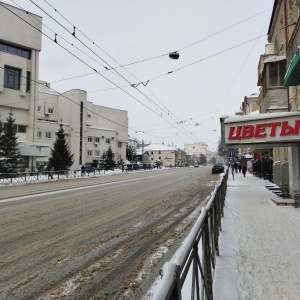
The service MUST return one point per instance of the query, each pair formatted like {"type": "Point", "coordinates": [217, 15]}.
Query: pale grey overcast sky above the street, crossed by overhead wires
{"type": "Point", "coordinates": [219, 43]}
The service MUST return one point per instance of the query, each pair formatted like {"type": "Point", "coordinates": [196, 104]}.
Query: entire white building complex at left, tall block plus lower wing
{"type": "Point", "coordinates": [90, 129]}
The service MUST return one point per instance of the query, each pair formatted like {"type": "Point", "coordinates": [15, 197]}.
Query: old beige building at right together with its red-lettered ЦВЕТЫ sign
{"type": "Point", "coordinates": [273, 134]}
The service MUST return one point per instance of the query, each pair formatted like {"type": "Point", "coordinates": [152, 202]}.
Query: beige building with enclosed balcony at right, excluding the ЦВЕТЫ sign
{"type": "Point", "coordinates": [274, 77]}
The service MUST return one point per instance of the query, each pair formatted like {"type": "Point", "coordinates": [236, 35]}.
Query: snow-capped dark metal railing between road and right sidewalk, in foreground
{"type": "Point", "coordinates": [196, 258]}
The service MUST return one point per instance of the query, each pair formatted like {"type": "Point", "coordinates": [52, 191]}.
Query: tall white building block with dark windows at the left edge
{"type": "Point", "coordinates": [20, 45]}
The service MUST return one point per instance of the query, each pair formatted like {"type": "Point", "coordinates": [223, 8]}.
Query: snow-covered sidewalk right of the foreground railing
{"type": "Point", "coordinates": [259, 244]}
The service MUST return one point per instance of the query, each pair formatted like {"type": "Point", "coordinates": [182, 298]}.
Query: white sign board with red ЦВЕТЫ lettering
{"type": "Point", "coordinates": [263, 128]}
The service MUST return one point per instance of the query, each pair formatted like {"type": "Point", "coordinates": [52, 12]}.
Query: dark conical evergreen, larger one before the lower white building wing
{"type": "Point", "coordinates": [61, 157]}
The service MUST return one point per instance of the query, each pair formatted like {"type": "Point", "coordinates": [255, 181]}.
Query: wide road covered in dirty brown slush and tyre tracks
{"type": "Point", "coordinates": [96, 238]}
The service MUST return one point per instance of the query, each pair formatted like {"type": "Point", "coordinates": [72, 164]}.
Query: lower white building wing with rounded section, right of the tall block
{"type": "Point", "coordinates": [90, 129]}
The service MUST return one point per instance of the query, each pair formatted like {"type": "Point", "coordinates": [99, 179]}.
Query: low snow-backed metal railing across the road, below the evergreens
{"type": "Point", "coordinates": [25, 177]}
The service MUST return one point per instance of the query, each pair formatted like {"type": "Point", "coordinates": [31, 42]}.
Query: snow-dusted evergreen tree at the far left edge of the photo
{"type": "Point", "coordinates": [11, 161]}
